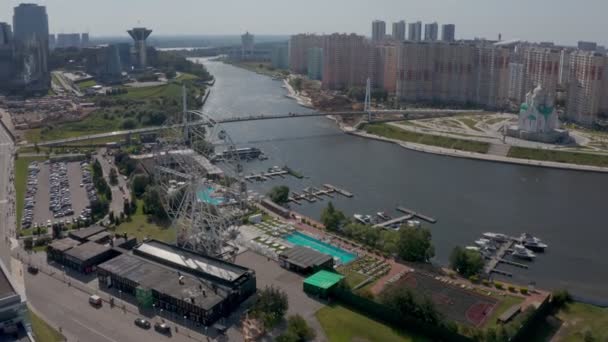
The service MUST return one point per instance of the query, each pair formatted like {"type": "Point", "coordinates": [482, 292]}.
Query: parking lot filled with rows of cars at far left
{"type": "Point", "coordinates": [56, 193]}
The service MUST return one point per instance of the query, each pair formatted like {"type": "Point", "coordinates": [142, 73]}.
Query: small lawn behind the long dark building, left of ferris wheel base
{"type": "Point", "coordinates": [141, 228]}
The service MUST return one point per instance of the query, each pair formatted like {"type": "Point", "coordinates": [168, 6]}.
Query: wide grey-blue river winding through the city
{"type": "Point", "coordinates": [567, 209]}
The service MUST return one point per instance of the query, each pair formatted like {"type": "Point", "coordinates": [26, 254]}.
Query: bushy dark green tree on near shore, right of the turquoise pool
{"type": "Point", "coordinates": [415, 244]}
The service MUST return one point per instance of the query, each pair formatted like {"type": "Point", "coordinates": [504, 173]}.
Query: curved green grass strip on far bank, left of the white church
{"type": "Point", "coordinates": [392, 132]}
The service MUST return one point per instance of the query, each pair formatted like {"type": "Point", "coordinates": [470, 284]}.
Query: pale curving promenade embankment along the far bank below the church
{"type": "Point", "coordinates": [474, 155]}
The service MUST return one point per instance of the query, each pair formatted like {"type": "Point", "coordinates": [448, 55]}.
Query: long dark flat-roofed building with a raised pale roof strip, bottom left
{"type": "Point", "coordinates": [163, 276]}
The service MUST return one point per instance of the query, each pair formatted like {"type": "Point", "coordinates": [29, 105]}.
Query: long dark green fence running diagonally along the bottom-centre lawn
{"type": "Point", "coordinates": [395, 319]}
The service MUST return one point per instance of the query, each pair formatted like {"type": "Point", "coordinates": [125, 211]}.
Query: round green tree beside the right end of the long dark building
{"type": "Point", "coordinates": [270, 306]}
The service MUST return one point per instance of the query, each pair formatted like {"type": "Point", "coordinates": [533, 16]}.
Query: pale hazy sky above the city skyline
{"type": "Point", "coordinates": [535, 20]}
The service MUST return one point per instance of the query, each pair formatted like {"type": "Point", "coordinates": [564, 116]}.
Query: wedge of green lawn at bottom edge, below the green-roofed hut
{"type": "Point", "coordinates": [343, 325]}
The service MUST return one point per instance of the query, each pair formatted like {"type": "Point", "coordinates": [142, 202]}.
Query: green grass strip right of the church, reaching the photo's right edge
{"type": "Point", "coordinates": [559, 156]}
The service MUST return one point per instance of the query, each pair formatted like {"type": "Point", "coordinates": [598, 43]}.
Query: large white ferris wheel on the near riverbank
{"type": "Point", "coordinates": [199, 171]}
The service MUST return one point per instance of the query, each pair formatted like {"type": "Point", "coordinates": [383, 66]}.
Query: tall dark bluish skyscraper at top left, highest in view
{"type": "Point", "coordinates": [31, 39]}
